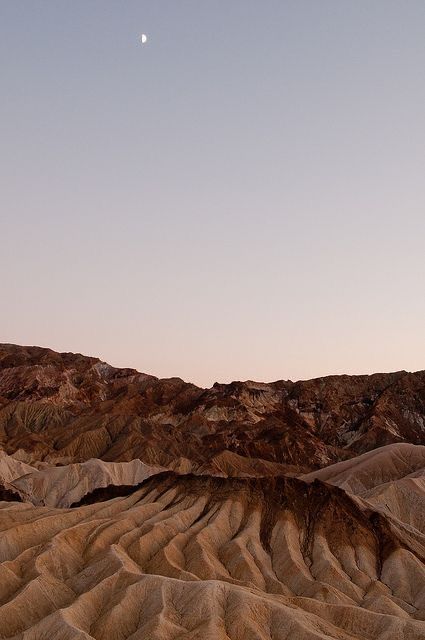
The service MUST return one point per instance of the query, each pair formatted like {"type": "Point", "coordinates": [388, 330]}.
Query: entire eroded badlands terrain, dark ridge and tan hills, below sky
{"type": "Point", "coordinates": [138, 508]}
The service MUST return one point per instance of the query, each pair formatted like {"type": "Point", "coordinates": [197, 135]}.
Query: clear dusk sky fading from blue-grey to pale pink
{"type": "Point", "coordinates": [242, 197]}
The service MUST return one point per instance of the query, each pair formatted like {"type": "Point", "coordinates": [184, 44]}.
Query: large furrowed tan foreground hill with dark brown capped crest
{"type": "Point", "coordinates": [211, 558]}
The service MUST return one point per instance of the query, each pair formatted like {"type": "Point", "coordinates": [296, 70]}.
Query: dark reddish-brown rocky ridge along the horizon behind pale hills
{"type": "Point", "coordinates": [62, 408]}
